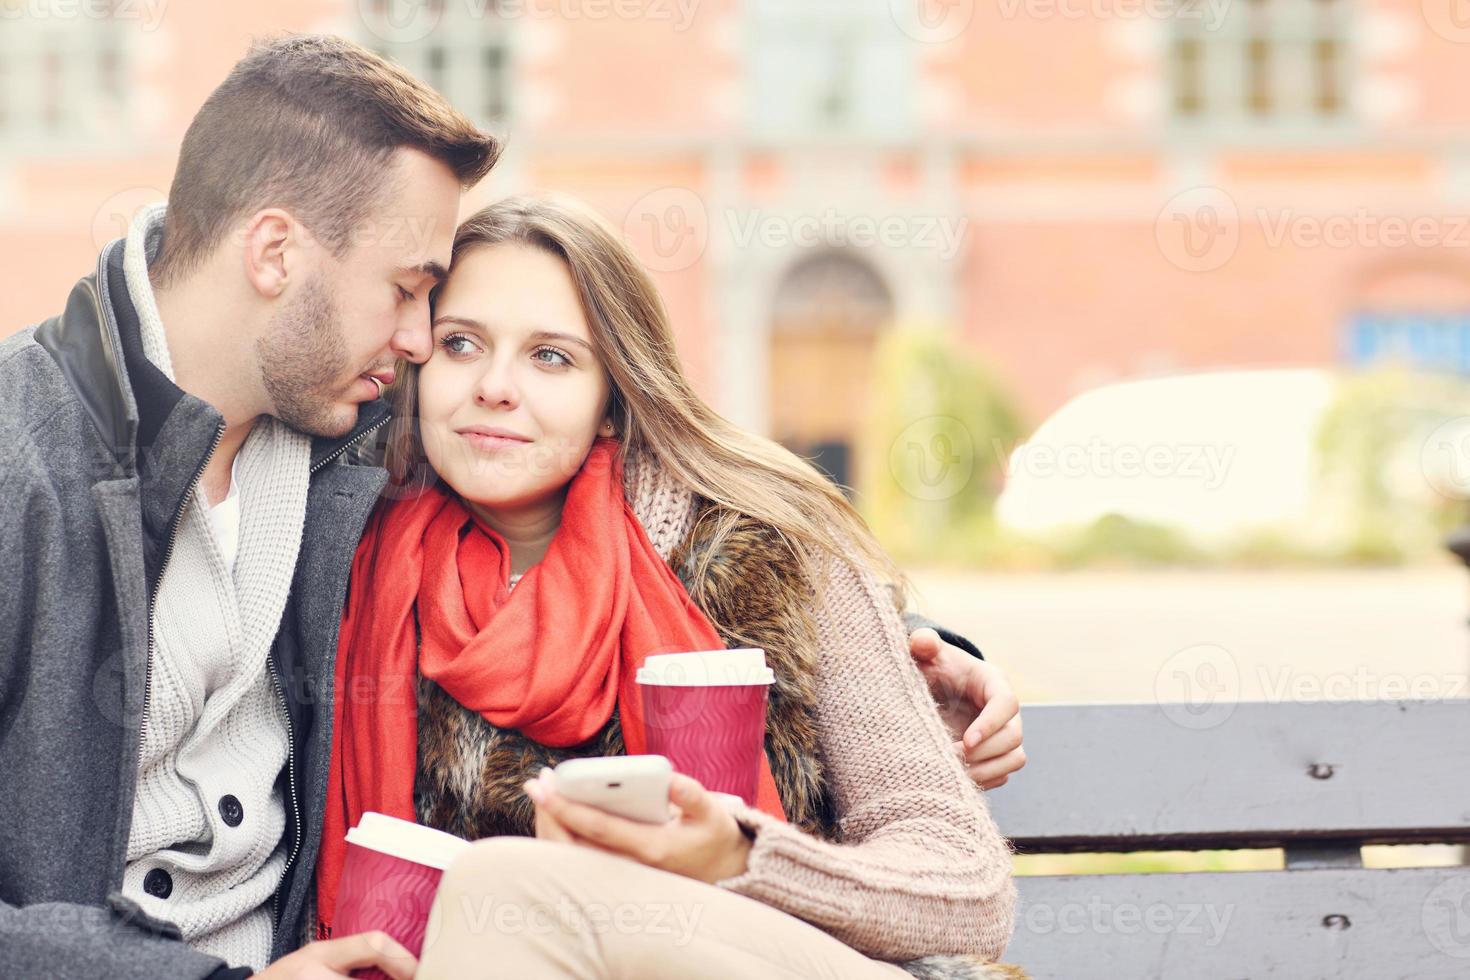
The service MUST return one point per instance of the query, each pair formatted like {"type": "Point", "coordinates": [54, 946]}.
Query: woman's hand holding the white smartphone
{"type": "Point", "coordinates": [702, 841]}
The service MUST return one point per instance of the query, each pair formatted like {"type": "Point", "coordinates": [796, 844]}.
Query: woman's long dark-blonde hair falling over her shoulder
{"type": "Point", "coordinates": [653, 408]}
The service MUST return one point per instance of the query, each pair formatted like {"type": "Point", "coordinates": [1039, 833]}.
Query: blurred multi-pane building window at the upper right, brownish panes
{"type": "Point", "coordinates": [1261, 62]}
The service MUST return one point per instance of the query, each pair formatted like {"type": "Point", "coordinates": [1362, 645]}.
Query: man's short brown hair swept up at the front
{"type": "Point", "coordinates": [306, 123]}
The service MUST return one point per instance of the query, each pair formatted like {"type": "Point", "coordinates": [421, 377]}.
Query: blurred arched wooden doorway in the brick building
{"type": "Point", "coordinates": [827, 317]}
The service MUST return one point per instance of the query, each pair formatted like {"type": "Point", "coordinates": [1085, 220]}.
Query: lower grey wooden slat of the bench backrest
{"type": "Point", "coordinates": [1288, 925]}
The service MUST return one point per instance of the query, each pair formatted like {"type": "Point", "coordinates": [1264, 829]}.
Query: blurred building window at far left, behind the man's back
{"type": "Point", "coordinates": [64, 82]}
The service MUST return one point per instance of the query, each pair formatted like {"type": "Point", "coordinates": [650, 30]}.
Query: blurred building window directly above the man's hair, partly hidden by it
{"type": "Point", "coordinates": [465, 54]}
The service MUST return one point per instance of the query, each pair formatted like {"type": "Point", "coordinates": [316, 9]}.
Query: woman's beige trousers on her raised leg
{"type": "Point", "coordinates": [526, 909]}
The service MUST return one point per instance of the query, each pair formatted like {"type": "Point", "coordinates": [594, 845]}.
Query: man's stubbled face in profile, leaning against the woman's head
{"type": "Point", "coordinates": [351, 320]}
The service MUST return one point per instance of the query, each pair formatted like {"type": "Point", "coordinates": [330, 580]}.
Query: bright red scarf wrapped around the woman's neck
{"type": "Point", "coordinates": [551, 659]}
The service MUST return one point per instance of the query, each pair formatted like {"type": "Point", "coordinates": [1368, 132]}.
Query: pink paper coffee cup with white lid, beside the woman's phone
{"type": "Point", "coordinates": [706, 712]}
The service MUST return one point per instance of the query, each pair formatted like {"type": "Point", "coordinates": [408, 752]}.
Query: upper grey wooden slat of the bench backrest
{"type": "Point", "coordinates": [1139, 777]}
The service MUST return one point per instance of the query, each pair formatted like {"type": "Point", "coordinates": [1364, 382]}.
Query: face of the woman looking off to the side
{"type": "Point", "coordinates": [512, 397]}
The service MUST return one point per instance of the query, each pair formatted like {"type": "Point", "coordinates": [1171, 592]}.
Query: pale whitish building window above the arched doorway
{"type": "Point", "coordinates": [828, 68]}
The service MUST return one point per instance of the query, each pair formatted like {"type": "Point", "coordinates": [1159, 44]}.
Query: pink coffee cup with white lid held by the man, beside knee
{"type": "Point", "coordinates": [390, 878]}
